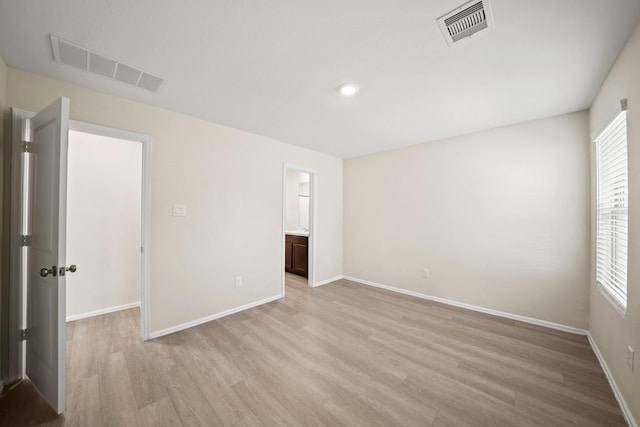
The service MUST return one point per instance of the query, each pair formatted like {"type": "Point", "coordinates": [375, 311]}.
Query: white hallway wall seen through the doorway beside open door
{"type": "Point", "coordinates": [103, 222]}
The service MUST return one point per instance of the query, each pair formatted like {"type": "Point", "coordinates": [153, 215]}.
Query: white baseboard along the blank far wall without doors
{"type": "Point", "coordinates": [511, 316]}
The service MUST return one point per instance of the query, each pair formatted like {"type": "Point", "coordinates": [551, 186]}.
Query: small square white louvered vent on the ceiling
{"type": "Point", "coordinates": [466, 20]}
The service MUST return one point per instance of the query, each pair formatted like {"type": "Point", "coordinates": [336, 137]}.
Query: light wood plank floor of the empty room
{"type": "Point", "coordinates": [342, 354]}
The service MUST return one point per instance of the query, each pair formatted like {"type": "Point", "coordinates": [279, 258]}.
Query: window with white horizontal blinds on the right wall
{"type": "Point", "coordinates": [612, 202]}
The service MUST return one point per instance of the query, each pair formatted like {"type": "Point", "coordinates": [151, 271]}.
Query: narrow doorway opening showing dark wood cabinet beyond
{"type": "Point", "coordinates": [298, 221]}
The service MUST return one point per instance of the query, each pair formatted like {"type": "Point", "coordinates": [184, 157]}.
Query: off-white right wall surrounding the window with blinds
{"type": "Point", "coordinates": [611, 331]}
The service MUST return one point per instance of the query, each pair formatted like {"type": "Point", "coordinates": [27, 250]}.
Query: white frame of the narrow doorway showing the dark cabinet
{"type": "Point", "coordinates": [312, 220]}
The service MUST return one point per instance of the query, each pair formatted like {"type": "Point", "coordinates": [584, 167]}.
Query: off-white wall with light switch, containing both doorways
{"type": "Point", "coordinates": [231, 183]}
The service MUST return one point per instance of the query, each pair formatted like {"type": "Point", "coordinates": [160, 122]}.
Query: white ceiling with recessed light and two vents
{"type": "Point", "coordinates": [272, 67]}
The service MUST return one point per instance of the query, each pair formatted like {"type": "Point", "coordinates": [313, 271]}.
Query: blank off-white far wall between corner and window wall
{"type": "Point", "coordinates": [500, 218]}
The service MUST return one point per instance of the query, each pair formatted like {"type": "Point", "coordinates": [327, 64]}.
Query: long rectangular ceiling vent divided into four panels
{"type": "Point", "coordinates": [76, 56]}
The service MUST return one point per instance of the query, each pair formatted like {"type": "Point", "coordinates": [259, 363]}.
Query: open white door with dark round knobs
{"type": "Point", "coordinates": [47, 133]}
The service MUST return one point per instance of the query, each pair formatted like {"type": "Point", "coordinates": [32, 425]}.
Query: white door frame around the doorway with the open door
{"type": "Point", "coordinates": [17, 312]}
